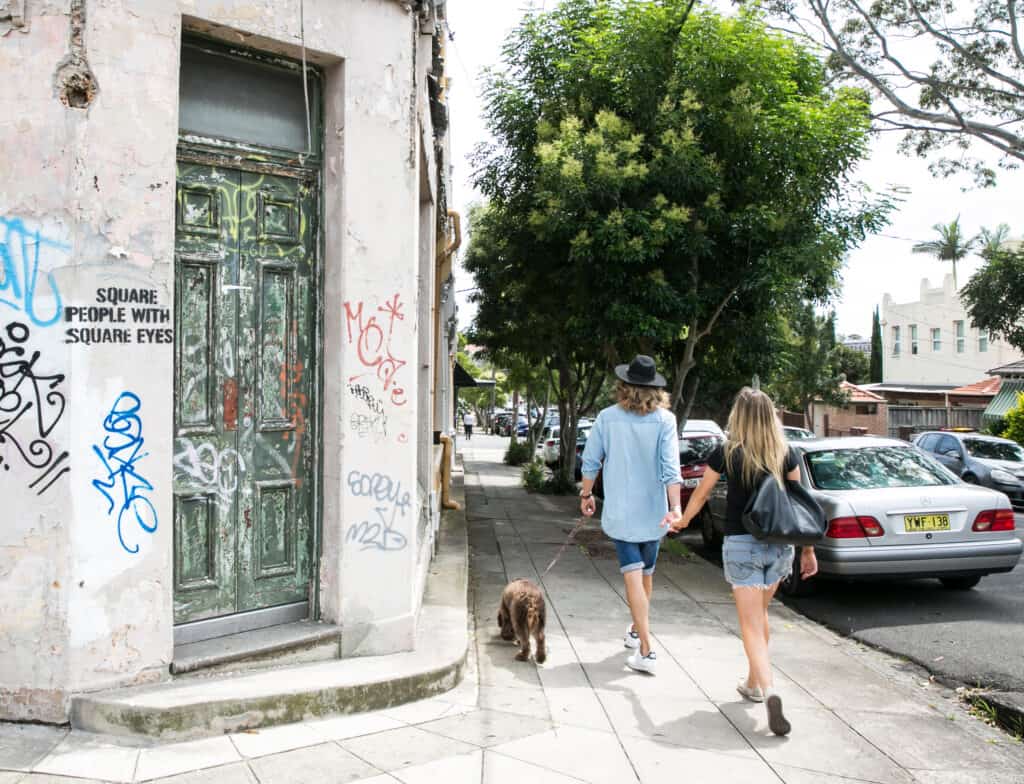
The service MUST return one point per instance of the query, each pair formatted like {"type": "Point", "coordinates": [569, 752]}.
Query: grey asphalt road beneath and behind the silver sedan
{"type": "Point", "coordinates": [974, 637]}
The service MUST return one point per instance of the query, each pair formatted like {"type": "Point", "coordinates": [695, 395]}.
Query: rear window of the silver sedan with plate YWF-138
{"type": "Point", "coordinates": [875, 467]}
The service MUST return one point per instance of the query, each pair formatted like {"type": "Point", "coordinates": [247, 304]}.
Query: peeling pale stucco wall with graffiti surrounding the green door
{"type": "Point", "coordinates": [89, 133]}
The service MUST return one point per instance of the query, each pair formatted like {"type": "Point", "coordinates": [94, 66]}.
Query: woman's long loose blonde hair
{"type": "Point", "coordinates": [755, 428]}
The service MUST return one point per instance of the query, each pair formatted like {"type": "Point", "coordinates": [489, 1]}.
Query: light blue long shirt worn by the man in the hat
{"type": "Point", "coordinates": [641, 454]}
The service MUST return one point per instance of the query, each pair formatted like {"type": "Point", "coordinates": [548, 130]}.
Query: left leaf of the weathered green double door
{"type": "Point", "coordinates": [206, 462]}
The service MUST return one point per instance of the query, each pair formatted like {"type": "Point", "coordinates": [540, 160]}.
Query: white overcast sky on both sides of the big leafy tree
{"type": "Point", "coordinates": [883, 265]}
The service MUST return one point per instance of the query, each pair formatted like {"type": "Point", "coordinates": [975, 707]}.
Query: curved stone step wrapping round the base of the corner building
{"type": "Point", "coordinates": [192, 708]}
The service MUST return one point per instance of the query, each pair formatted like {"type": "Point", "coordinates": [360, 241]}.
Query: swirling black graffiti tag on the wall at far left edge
{"type": "Point", "coordinates": [31, 406]}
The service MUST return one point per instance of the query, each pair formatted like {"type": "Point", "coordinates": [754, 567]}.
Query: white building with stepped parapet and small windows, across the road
{"type": "Point", "coordinates": [931, 341]}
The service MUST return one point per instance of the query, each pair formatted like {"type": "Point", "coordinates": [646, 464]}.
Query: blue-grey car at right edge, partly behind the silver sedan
{"type": "Point", "coordinates": [992, 462]}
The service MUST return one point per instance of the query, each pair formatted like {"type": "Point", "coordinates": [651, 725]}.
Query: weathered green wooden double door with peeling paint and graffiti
{"type": "Point", "coordinates": [244, 457]}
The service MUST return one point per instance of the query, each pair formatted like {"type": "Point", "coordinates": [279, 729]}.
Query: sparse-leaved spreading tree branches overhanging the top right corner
{"type": "Point", "coordinates": [972, 90]}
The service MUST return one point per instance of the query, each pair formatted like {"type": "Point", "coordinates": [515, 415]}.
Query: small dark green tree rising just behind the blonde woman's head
{"type": "Point", "coordinates": [810, 365]}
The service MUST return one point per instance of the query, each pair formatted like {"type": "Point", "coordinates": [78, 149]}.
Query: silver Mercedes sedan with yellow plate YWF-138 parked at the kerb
{"type": "Point", "coordinates": [895, 513]}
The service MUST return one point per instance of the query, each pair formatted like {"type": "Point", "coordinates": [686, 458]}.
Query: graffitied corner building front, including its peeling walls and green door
{"type": "Point", "coordinates": [227, 329]}
